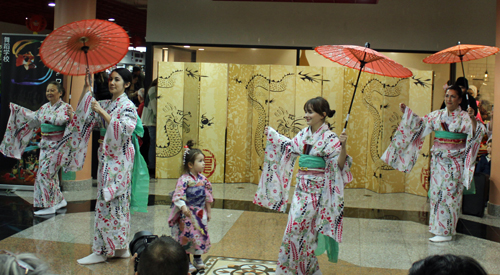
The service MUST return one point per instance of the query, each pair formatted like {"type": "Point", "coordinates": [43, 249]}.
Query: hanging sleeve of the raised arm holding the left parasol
{"type": "Point", "coordinates": [72, 149]}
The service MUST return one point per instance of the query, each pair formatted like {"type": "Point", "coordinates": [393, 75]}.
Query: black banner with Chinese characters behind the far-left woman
{"type": "Point", "coordinates": [24, 81]}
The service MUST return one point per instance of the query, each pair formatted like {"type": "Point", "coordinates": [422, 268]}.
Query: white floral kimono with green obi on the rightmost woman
{"type": "Point", "coordinates": [453, 157]}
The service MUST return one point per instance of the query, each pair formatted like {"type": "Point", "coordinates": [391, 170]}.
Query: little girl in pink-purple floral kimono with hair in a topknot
{"type": "Point", "coordinates": [192, 211]}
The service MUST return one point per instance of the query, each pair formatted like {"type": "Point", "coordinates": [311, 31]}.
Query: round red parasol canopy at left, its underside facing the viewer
{"type": "Point", "coordinates": [87, 46]}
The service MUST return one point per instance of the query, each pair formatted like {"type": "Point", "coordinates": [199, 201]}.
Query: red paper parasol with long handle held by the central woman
{"type": "Point", "coordinates": [363, 58]}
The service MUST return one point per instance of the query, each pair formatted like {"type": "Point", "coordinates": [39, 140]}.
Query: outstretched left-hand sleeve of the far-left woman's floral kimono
{"type": "Point", "coordinates": [20, 130]}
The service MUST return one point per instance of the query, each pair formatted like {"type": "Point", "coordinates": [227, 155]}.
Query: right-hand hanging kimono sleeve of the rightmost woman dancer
{"type": "Point", "coordinates": [471, 150]}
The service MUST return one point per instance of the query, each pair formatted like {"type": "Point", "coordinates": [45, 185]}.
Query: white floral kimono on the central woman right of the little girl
{"type": "Point", "coordinates": [318, 201]}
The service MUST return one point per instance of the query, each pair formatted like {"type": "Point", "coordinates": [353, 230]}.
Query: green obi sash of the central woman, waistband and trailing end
{"type": "Point", "coordinates": [325, 243]}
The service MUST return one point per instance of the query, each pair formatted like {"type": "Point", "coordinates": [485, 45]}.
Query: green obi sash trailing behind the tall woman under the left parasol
{"type": "Point", "coordinates": [140, 173]}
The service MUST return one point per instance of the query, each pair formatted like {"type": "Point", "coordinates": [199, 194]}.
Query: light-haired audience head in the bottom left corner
{"type": "Point", "coordinates": [25, 263]}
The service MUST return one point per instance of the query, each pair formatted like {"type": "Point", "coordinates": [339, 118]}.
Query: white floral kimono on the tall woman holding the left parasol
{"type": "Point", "coordinates": [116, 159]}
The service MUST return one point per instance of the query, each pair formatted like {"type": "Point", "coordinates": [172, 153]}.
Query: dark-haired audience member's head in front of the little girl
{"type": "Point", "coordinates": [164, 256]}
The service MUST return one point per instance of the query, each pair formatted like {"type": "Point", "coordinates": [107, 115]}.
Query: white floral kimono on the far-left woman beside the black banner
{"type": "Point", "coordinates": [20, 129]}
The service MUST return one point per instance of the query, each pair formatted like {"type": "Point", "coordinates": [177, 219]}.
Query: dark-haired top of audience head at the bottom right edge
{"type": "Point", "coordinates": [447, 265]}
